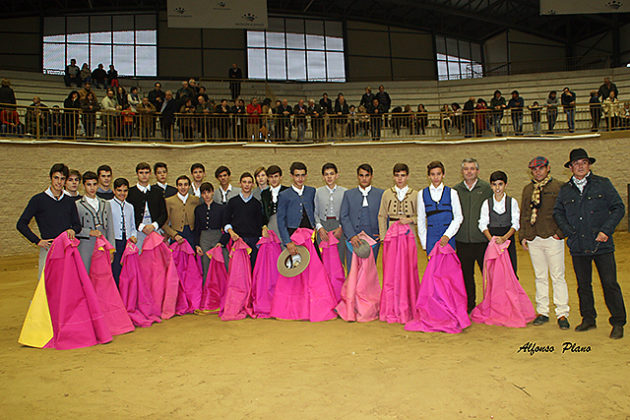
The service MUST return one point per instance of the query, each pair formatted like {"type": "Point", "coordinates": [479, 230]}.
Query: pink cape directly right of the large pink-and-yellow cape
{"type": "Point", "coordinates": [102, 278]}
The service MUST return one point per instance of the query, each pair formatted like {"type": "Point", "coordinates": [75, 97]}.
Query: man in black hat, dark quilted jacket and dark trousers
{"type": "Point", "coordinates": [587, 211]}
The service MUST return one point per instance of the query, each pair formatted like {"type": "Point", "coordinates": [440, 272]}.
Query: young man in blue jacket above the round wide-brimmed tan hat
{"type": "Point", "coordinates": [296, 206]}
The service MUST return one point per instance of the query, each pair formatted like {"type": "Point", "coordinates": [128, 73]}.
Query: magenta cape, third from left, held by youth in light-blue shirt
{"type": "Point", "coordinates": [134, 291]}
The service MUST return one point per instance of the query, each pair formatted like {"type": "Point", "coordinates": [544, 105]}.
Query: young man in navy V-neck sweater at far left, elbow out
{"type": "Point", "coordinates": [54, 212]}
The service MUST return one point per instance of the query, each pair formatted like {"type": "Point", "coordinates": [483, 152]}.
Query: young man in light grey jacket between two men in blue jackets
{"type": "Point", "coordinates": [328, 201]}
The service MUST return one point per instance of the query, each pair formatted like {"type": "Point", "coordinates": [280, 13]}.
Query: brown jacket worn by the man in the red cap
{"type": "Point", "coordinates": [545, 225]}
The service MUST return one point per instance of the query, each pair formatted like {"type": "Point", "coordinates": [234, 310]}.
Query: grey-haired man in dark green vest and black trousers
{"type": "Point", "coordinates": [470, 242]}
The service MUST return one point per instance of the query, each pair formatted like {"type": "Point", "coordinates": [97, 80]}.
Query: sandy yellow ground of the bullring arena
{"type": "Point", "coordinates": [201, 367]}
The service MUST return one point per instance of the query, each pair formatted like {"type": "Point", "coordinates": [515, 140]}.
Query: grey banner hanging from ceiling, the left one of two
{"type": "Point", "coordinates": [226, 14]}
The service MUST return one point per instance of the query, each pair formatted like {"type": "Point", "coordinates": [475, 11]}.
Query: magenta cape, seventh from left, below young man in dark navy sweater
{"type": "Point", "coordinates": [238, 294]}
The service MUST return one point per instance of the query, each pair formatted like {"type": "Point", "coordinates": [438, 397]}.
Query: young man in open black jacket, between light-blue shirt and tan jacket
{"type": "Point", "coordinates": [148, 204]}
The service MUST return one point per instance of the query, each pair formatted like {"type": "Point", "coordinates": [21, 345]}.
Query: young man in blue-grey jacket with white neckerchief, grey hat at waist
{"type": "Point", "coordinates": [359, 209]}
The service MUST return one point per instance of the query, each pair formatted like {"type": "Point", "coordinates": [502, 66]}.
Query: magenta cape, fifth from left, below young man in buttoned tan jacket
{"type": "Point", "coordinates": [190, 278]}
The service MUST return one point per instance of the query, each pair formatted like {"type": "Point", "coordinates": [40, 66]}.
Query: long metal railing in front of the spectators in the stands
{"type": "Point", "coordinates": [138, 126]}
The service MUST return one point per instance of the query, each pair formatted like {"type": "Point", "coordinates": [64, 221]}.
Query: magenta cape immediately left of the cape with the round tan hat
{"type": "Point", "coordinates": [265, 274]}
